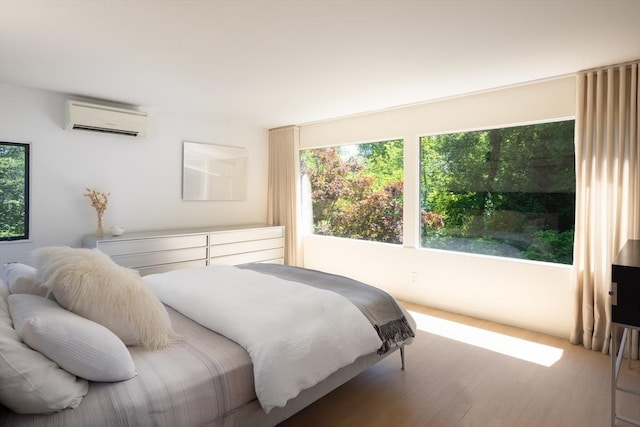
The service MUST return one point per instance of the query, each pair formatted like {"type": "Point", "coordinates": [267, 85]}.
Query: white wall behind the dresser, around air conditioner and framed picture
{"type": "Point", "coordinates": [144, 176]}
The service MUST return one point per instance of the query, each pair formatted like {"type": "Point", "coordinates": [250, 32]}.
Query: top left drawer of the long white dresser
{"type": "Point", "coordinates": [121, 247]}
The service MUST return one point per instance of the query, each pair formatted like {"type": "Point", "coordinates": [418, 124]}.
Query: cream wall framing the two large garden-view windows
{"type": "Point", "coordinates": [532, 295]}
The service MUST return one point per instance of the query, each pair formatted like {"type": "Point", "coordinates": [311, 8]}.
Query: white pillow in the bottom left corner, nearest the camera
{"type": "Point", "coordinates": [29, 382]}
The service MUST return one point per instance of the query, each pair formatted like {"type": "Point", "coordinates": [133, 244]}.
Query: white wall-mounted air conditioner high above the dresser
{"type": "Point", "coordinates": [106, 119]}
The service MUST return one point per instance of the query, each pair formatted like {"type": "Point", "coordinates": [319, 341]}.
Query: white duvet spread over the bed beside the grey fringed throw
{"type": "Point", "coordinates": [296, 335]}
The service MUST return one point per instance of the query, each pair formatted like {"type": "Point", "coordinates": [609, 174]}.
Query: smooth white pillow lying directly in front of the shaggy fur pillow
{"type": "Point", "coordinates": [78, 345]}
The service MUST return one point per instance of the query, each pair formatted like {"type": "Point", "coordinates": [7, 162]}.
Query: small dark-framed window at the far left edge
{"type": "Point", "coordinates": [14, 191]}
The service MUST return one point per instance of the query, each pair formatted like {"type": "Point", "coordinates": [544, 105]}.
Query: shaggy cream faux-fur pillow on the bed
{"type": "Point", "coordinates": [89, 283]}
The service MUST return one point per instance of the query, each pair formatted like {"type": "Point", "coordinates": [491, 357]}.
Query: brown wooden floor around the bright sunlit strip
{"type": "Point", "coordinates": [451, 383]}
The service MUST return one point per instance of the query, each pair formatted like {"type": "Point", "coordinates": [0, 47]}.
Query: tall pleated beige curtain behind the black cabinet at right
{"type": "Point", "coordinates": [607, 193]}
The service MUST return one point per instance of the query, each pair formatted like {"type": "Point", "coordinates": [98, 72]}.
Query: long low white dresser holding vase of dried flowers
{"type": "Point", "coordinates": [158, 251]}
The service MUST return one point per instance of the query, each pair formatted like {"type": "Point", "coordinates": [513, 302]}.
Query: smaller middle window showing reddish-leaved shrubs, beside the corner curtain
{"type": "Point", "coordinates": [356, 190]}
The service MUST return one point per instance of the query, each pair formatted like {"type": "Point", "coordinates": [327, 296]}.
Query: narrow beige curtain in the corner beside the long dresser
{"type": "Point", "coordinates": [283, 207]}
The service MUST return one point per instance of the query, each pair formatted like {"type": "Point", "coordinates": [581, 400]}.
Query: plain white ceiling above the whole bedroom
{"type": "Point", "coordinates": [272, 63]}
